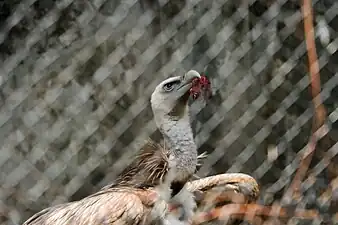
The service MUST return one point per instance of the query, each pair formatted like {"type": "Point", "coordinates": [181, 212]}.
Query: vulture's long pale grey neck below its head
{"type": "Point", "coordinates": [178, 137]}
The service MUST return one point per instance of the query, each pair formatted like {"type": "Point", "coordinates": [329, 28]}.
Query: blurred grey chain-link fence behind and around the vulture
{"type": "Point", "coordinates": [76, 78]}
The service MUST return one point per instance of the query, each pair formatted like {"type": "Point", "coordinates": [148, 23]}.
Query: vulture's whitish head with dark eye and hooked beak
{"type": "Point", "coordinates": [170, 97]}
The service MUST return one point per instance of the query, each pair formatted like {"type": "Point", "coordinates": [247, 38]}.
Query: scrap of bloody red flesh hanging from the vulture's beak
{"type": "Point", "coordinates": [200, 86]}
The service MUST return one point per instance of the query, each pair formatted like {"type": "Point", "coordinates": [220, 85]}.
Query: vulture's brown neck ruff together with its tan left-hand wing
{"type": "Point", "coordinates": [119, 203]}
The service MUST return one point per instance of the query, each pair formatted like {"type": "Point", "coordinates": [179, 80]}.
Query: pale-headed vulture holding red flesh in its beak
{"type": "Point", "coordinates": [159, 176]}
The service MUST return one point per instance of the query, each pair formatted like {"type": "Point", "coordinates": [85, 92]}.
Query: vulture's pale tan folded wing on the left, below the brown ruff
{"type": "Point", "coordinates": [113, 206]}
